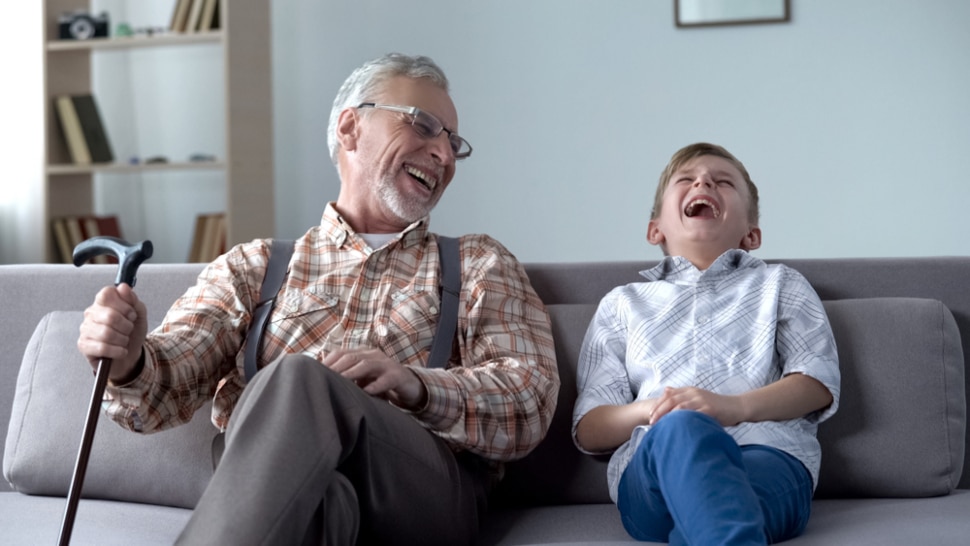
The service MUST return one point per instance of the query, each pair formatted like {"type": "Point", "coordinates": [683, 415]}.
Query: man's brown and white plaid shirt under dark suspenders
{"type": "Point", "coordinates": [496, 398]}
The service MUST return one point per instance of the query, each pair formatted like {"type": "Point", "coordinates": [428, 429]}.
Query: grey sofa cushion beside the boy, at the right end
{"type": "Point", "coordinates": [899, 430]}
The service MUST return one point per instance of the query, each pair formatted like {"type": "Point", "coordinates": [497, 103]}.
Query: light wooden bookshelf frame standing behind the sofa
{"type": "Point", "coordinates": [246, 162]}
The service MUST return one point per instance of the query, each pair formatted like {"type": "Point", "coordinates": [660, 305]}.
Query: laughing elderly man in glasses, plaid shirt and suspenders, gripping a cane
{"type": "Point", "coordinates": [346, 434]}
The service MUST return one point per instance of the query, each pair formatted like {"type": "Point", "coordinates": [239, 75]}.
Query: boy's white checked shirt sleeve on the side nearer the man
{"type": "Point", "coordinates": [601, 377]}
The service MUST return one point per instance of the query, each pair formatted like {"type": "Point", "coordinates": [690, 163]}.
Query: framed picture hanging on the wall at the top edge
{"type": "Point", "coordinates": [705, 13]}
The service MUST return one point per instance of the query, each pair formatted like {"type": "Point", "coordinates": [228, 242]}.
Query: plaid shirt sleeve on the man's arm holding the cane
{"type": "Point", "coordinates": [195, 347]}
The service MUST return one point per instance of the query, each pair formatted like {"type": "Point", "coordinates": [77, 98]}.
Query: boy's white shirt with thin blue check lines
{"type": "Point", "coordinates": [737, 326]}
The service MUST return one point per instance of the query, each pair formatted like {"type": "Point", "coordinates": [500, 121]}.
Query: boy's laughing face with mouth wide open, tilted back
{"type": "Point", "coordinates": [704, 212]}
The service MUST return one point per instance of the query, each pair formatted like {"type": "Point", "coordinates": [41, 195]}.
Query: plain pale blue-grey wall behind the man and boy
{"type": "Point", "coordinates": [853, 119]}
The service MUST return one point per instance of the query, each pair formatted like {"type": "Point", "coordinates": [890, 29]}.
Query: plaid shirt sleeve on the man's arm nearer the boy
{"type": "Point", "coordinates": [499, 401]}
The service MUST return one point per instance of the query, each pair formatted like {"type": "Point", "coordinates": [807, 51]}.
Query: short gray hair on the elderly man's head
{"type": "Point", "coordinates": [368, 80]}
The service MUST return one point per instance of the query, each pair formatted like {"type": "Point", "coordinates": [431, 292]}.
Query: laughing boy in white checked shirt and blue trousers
{"type": "Point", "coordinates": [708, 381]}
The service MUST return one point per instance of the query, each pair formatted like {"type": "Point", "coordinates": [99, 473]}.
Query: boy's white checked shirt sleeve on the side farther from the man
{"type": "Point", "coordinates": [805, 342]}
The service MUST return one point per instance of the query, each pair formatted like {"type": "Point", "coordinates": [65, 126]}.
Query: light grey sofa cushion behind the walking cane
{"type": "Point", "coordinates": [53, 393]}
